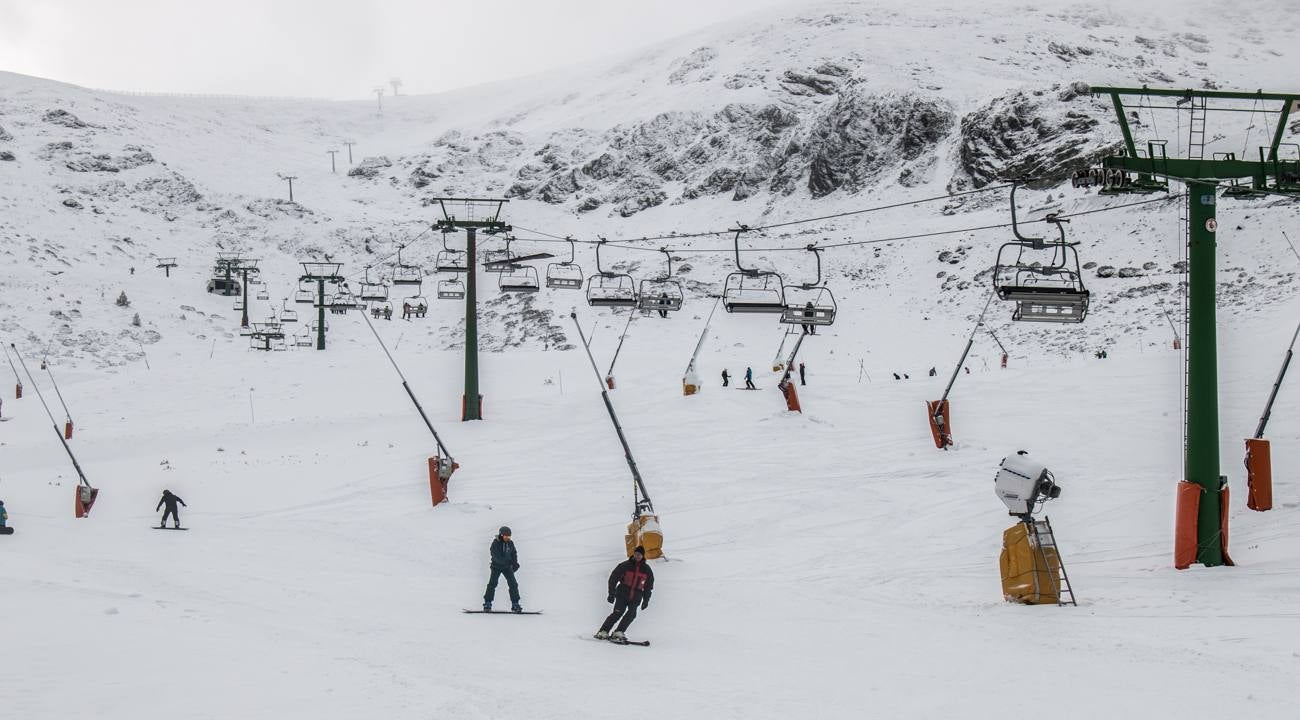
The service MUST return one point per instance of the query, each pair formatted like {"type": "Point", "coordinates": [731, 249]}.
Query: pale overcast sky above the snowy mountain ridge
{"type": "Point", "coordinates": [330, 49]}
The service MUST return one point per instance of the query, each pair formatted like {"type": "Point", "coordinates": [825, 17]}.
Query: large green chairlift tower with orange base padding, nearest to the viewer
{"type": "Point", "coordinates": [1202, 515]}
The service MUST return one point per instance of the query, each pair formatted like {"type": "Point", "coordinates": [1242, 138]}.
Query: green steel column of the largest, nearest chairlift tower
{"type": "Point", "coordinates": [1203, 449]}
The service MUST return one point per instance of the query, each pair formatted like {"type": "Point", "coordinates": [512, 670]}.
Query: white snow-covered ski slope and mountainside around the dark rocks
{"type": "Point", "coordinates": [831, 563]}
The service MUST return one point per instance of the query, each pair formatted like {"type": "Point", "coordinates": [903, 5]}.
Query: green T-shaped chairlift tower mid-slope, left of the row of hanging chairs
{"type": "Point", "coordinates": [480, 215]}
